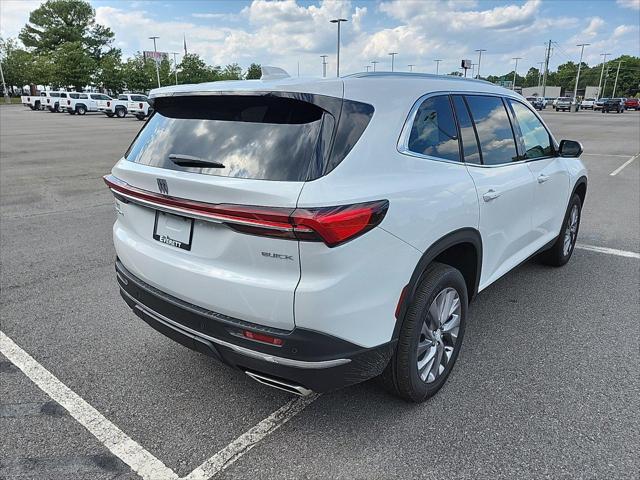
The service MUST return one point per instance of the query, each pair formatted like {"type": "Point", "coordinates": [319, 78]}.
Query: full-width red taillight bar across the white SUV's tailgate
{"type": "Point", "coordinates": [331, 225]}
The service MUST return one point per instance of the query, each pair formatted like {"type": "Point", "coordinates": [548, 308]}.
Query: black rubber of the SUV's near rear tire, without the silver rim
{"type": "Point", "coordinates": [401, 375]}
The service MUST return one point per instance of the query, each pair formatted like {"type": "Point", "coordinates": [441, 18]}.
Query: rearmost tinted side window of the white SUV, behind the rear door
{"type": "Point", "coordinates": [433, 131]}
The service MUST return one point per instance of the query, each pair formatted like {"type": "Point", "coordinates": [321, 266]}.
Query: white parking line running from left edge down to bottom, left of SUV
{"type": "Point", "coordinates": [129, 451]}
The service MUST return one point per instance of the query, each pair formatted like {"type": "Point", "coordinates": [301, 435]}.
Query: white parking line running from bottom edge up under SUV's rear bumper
{"type": "Point", "coordinates": [245, 442]}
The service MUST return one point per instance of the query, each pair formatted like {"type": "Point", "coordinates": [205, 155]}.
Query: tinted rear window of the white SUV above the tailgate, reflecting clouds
{"type": "Point", "coordinates": [264, 137]}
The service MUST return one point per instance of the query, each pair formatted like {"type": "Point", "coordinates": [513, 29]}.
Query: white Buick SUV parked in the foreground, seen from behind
{"type": "Point", "coordinates": [318, 233]}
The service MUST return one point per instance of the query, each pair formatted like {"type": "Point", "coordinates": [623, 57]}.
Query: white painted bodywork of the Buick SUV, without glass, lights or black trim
{"type": "Point", "coordinates": [350, 291]}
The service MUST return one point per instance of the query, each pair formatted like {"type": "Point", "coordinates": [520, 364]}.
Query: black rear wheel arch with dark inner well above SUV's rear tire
{"type": "Point", "coordinates": [461, 249]}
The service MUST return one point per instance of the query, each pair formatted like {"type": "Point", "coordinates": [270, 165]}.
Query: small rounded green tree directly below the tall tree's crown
{"type": "Point", "coordinates": [73, 65]}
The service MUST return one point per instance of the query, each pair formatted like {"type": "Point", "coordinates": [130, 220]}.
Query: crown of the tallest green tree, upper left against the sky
{"type": "Point", "coordinates": [57, 22]}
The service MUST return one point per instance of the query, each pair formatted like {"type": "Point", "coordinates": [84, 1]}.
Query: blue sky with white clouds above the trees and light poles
{"type": "Point", "coordinates": [291, 32]}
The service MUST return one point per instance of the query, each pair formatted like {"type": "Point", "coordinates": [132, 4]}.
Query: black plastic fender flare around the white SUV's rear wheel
{"type": "Point", "coordinates": [463, 235]}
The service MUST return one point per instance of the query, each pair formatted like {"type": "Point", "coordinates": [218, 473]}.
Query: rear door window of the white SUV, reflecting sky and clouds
{"type": "Point", "coordinates": [494, 129]}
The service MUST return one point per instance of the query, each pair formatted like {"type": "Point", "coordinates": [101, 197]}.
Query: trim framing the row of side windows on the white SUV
{"type": "Point", "coordinates": [403, 139]}
